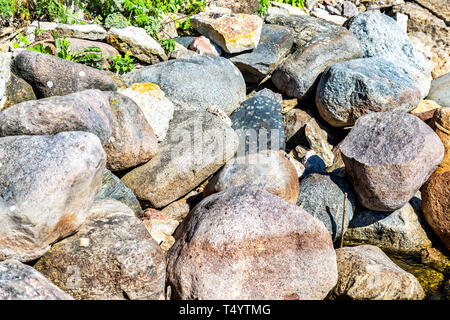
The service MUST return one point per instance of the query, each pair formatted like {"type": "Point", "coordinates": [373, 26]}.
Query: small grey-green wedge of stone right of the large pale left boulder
{"type": "Point", "coordinates": [112, 187]}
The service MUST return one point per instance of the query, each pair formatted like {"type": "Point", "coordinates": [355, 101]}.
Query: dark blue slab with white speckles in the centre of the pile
{"type": "Point", "coordinates": [259, 124]}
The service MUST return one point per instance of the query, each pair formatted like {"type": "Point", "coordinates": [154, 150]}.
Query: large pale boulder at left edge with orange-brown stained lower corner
{"type": "Point", "coordinates": [47, 190]}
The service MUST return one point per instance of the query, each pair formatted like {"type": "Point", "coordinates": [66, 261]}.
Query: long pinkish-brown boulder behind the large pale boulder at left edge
{"type": "Point", "coordinates": [119, 123]}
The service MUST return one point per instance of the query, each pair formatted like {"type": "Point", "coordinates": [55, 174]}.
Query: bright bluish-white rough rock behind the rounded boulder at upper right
{"type": "Point", "coordinates": [382, 36]}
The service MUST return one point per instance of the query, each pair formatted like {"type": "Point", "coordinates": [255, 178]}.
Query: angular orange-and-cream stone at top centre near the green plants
{"type": "Point", "coordinates": [233, 32]}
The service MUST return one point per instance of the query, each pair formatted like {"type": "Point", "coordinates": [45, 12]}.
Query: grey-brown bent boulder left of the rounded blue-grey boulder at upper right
{"type": "Point", "coordinates": [320, 44]}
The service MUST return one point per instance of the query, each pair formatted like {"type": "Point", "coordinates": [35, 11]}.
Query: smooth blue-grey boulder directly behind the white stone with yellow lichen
{"type": "Point", "coordinates": [196, 83]}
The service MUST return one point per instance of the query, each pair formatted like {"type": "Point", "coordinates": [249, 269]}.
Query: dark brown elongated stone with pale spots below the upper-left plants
{"type": "Point", "coordinates": [52, 76]}
